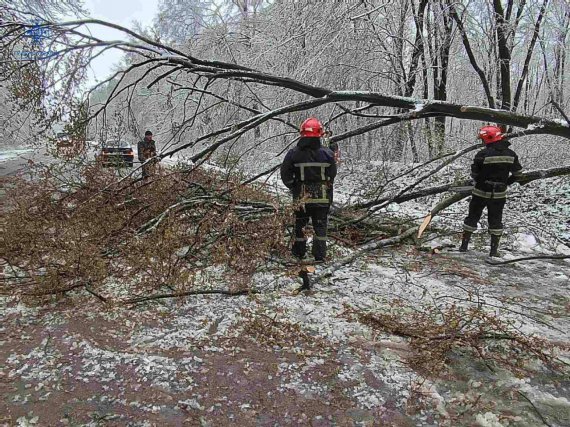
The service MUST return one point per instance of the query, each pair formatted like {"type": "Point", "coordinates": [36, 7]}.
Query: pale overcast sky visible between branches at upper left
{"type": "Point", "coordinates": [121, 12]}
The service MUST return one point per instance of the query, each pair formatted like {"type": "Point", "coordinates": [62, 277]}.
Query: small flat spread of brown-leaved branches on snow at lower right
{"type": "Point", "coordinates": [436, 333]}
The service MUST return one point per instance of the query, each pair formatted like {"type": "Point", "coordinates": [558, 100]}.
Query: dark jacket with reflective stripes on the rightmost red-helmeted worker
{"type": "Point", "coordinates": [493, 169]}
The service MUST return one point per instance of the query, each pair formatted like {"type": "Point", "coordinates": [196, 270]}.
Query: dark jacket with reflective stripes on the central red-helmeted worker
{"type": "Point", "coordinates": [308, 170]}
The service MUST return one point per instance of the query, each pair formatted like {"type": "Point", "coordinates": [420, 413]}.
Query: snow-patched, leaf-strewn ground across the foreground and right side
{"type": "Point", "coordinates": [279, 358]}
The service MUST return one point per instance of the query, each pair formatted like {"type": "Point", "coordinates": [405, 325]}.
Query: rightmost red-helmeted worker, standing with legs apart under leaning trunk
{"type": "Point", "coordinates": [493, 169]}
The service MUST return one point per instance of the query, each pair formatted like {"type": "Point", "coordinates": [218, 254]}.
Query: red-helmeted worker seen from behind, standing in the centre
{"type": "Point", "coordinates": [308, 171]}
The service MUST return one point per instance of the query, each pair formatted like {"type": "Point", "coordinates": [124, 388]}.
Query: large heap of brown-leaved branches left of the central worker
{"type": "Point", "coordinates": [144, 235]}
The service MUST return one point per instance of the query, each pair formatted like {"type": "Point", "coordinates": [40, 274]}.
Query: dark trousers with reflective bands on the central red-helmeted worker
{"type": "Point", "coordinates": [318, 215]}
